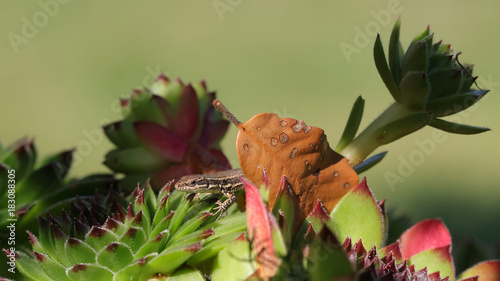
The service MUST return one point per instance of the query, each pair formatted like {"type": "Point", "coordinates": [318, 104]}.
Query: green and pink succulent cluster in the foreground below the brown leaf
{"type": "Point", "coordinates": [423, 252]}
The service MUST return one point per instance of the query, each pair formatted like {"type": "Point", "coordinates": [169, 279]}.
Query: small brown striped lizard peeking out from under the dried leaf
{"type": "Point", "coordinates": [225, 182]}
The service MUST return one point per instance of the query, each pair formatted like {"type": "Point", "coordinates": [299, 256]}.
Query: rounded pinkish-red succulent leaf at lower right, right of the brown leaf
{"type": "Point", "coordinates": [425, 235]}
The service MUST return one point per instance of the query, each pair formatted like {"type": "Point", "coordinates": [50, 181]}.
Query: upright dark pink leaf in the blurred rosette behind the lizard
{"type": "Point", "coordinates": [186, 120]}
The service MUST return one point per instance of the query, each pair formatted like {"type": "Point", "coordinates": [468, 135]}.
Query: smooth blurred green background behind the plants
{"type": "Point", "coordinates": [61, 79]}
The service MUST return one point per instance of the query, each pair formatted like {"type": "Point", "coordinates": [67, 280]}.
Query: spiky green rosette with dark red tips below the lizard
{"type": "Point", "coordinates": [155, 237]}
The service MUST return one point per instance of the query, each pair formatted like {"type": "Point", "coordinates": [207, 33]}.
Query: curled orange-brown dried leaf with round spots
{"type": "Point", "coordinates": [285, 146]}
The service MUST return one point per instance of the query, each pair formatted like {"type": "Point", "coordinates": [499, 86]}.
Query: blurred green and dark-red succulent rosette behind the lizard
{"type": "Point", "coordinates": [167, 131]}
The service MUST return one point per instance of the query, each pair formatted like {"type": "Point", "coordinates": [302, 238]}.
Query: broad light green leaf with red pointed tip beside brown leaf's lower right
{"type": "Point", "coordinates": [358, 216]}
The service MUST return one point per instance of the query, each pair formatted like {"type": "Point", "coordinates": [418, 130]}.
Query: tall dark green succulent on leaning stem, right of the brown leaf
{"type": "Point", "coordinates": [427, 82]}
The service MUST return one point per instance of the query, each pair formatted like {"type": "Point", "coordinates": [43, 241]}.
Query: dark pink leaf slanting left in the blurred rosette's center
{"type": "Point", "coordinates": [161, 140]}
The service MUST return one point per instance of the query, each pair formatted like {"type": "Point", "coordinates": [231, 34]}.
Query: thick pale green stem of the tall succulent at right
{"type": "Point", "coordinates": [366, 142]}
